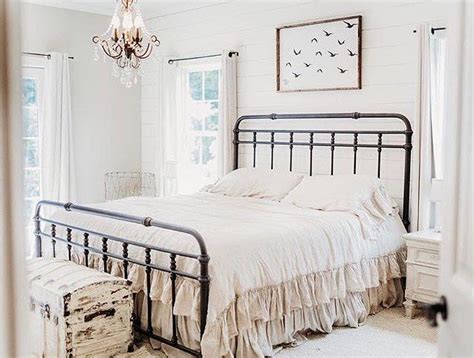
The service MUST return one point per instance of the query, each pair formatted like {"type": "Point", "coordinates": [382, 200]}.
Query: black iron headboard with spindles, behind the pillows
{"type": "Point", "coordinates": [331, 143]}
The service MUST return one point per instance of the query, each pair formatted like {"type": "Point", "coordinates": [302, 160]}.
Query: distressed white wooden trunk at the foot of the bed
{"type": "Point", "coordinates": [77, 311]}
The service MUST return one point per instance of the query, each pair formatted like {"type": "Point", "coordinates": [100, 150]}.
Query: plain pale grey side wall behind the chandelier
{"type": "Point", "coordinates": [105, 114]}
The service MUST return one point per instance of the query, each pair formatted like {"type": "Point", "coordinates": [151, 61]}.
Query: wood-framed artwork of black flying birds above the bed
{"type": "Point", "coordinates": [320, 55]}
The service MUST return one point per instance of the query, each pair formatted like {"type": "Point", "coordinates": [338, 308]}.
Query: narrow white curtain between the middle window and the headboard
{"type": "Point", "coordinates": [227, 112]}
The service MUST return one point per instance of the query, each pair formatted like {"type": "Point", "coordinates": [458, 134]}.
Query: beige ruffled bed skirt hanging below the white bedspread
{"type": "Point", "coordinates": [256, 322]}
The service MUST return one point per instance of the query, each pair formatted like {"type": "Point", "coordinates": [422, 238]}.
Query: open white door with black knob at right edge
{"type": "Point", "coordinates": [457, 258]}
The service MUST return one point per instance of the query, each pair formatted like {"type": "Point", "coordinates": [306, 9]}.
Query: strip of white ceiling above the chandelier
{"type": "Point", "coordinates": [150, 8]}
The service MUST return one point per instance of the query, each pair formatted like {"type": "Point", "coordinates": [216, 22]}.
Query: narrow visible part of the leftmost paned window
{"type": "Point", "coordinates": [31, 91]}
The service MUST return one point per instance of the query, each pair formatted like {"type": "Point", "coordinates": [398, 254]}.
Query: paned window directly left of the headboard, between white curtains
{"type": "Point", "coordinates": [198, 163]}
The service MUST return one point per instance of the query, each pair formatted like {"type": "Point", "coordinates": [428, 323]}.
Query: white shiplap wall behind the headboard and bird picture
{"type": "Point", "coordinates": [390, 61]}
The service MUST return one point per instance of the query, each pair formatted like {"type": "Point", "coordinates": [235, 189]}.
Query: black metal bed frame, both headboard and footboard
{"type": "Point", "coordinates": [203, 258]}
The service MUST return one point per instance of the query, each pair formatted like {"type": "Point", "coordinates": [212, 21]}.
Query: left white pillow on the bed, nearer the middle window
{"type": "Point", "coordinates": [257, 183]}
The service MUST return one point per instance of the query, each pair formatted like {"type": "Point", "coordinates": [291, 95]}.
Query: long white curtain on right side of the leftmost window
{"type": "Point", "coordinates": [56, 153]}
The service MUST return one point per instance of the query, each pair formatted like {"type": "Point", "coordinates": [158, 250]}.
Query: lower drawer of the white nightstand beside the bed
{"type": "Point", "coordinates": [422, 281]}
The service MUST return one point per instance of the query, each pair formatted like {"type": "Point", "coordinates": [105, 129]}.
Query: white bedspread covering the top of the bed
{"type": "Point", "coordinates": [252, 243]}
